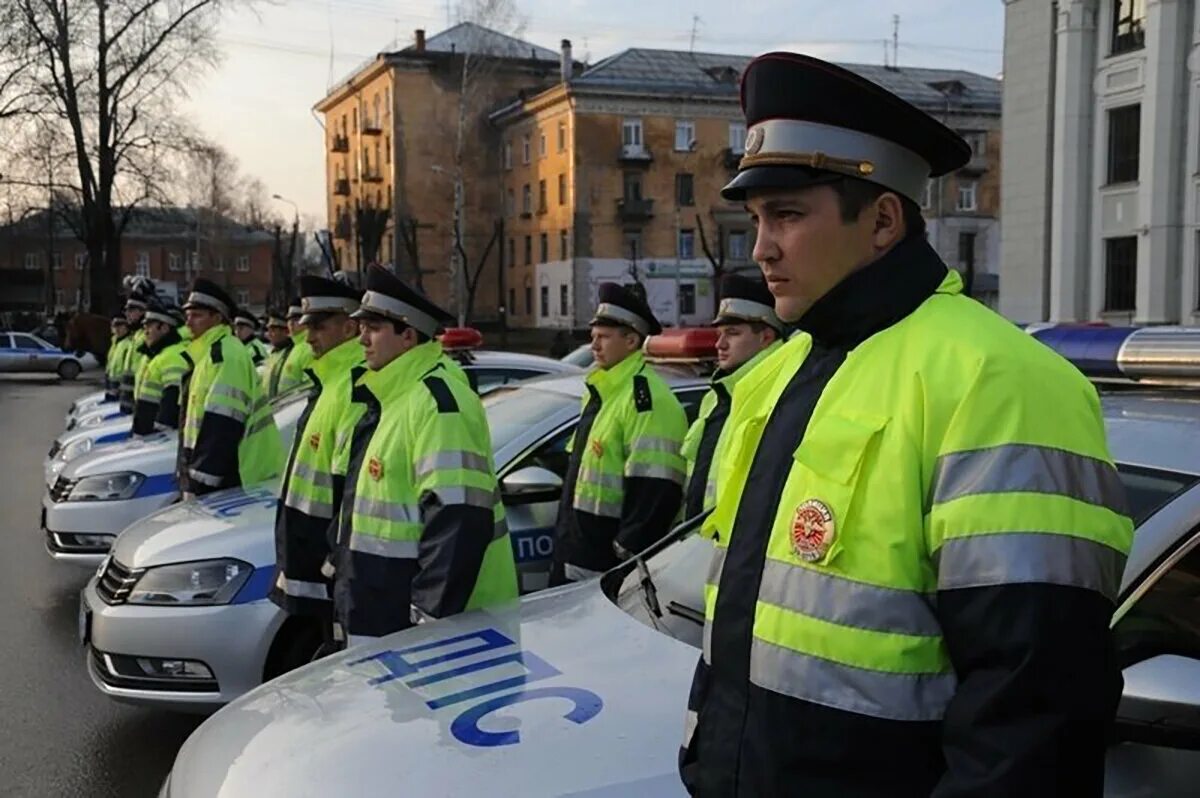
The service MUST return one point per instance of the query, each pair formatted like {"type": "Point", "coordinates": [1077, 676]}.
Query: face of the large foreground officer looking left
{"type": "Point", "coordinates": [805, 249]}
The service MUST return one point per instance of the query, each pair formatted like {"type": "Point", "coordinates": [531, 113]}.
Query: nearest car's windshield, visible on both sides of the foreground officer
{"type": "Point", "coordinates": [679, 571]}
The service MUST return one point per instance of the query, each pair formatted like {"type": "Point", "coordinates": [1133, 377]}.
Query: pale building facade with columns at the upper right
{"type": "Point", "coordinates": [1101, 190]}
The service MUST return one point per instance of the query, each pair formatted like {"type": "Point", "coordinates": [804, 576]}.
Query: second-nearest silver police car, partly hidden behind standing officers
{"type": "Point", "coordinates": [158, 616]}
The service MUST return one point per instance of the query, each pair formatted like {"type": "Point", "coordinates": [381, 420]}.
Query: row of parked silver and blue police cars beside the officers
{"type": "Point", "coordinates": [575, 691]}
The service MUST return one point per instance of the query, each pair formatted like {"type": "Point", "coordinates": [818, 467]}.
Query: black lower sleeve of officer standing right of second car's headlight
{"type": "Point", "coordinates": [449, 556]}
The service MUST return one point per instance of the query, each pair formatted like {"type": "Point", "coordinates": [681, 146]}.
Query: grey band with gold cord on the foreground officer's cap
{"type": "Point", "coordinates": [793, 142]}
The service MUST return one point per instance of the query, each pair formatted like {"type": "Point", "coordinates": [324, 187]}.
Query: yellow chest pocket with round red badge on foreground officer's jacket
{"type": "Point", "coordinates": [817, 514]}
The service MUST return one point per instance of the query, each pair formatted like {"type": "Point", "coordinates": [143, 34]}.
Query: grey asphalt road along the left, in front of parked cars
{"type": "Point", "coordinates": [58, 735]}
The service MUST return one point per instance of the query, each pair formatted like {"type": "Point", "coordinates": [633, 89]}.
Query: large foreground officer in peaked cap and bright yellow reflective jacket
{"type": "Point", "coordinates": [920, 532]}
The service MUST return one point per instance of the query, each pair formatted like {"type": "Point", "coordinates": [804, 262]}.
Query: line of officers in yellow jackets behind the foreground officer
{"type": "Point", "coordinates": [391, 509]}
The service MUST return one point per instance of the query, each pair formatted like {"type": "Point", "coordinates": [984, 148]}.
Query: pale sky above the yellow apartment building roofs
{"type": "Point", "coordinates": [281, 58]}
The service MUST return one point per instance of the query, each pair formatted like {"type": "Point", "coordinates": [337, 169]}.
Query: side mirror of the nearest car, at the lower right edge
{"type": "Point", "coordinates": [1161, 704]}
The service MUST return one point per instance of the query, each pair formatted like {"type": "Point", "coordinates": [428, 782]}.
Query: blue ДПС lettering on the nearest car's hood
{"type": "Point", "coordinates": [412, 662]}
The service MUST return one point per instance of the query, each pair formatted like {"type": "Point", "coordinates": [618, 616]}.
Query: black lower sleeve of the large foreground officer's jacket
{"type": "Point", "coordinates": [1039, 689]}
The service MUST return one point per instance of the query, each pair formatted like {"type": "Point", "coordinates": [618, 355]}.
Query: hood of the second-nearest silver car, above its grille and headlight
{"type": "Point", "coordinates": [237, 523]}
